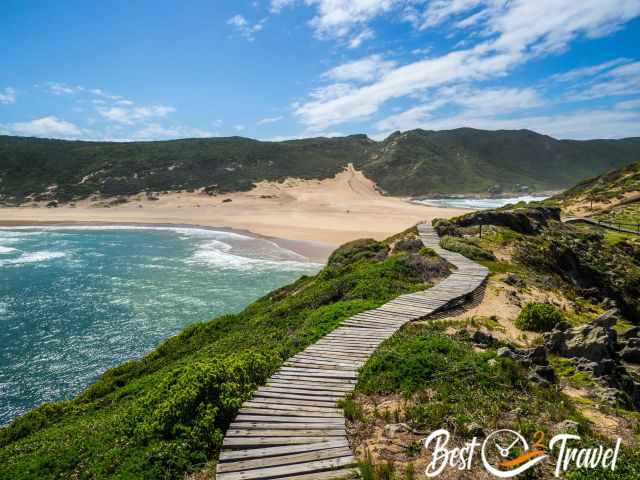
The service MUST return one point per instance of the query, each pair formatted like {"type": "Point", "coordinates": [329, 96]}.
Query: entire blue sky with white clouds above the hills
{"type": "Point", "coordinates": [274, 69]}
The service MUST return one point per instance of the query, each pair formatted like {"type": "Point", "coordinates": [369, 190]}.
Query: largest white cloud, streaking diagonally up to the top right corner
{"type": "Point", "coordinates": [519, 30]}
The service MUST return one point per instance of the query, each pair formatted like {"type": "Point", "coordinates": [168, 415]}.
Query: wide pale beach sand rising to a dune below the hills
{"type": "Point", "coordinates": [320, 213]}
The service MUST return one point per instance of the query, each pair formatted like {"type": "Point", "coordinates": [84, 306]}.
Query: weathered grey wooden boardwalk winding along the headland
{"type": "Point", "coordinates": [292, 427]}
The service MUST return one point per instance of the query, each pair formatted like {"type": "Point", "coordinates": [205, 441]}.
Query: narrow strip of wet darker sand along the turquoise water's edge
{"type": "Point", "coordinates": [313, 251]}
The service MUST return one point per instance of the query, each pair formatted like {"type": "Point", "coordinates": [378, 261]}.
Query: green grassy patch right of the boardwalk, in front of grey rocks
{"type": "Point", "coordinates": [451, 386]}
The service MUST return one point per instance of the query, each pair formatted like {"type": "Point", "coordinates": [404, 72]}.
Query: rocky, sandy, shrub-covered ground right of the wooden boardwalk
{"type": "Point", "coordinates": [534, 363]}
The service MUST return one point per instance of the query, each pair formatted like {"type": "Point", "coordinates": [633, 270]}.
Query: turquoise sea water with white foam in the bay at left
{"type": "Point", "coordinates": [75, 302]}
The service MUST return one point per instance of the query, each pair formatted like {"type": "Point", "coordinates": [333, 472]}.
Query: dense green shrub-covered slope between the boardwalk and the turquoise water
{"type": "Point", "coordinates": [163, 415]}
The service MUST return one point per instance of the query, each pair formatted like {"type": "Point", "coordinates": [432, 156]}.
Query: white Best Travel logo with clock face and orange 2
{"type": "Point", "coordinates": [506, 453]}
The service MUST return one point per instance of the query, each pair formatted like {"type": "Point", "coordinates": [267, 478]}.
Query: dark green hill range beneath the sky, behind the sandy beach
{"type": "Point", "coordinates": [413, 163]}
